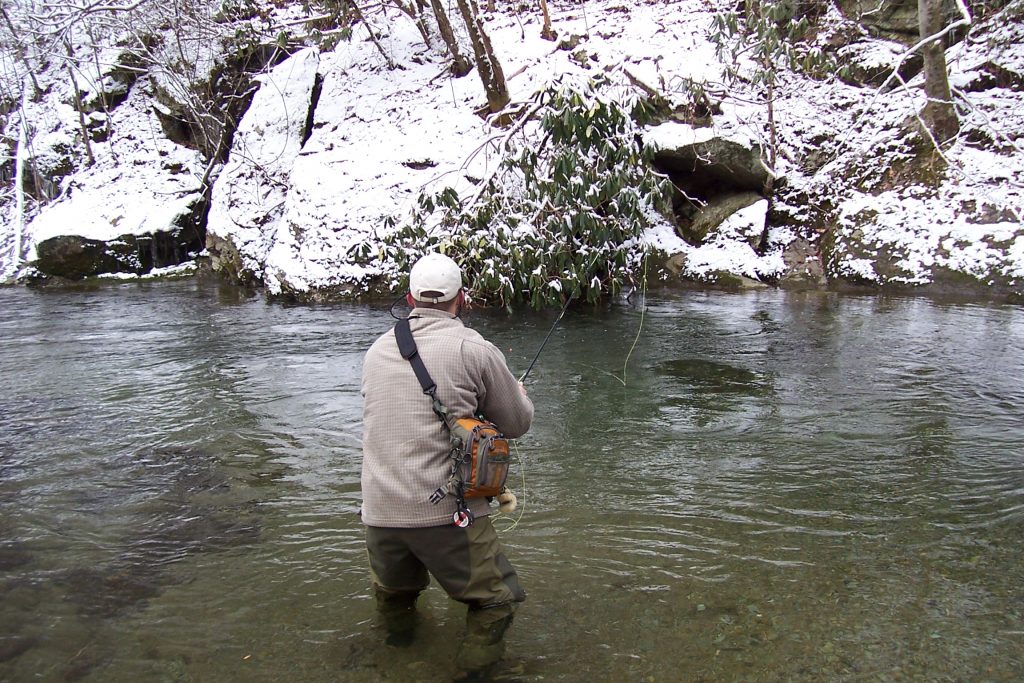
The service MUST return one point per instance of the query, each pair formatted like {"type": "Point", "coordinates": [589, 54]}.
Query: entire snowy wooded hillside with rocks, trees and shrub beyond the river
{"type": "Point", "coordinates": [316, 149]}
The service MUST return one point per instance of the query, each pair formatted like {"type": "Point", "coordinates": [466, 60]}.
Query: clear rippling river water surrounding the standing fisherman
{"type": "Point", "coordinates": [761, 487]}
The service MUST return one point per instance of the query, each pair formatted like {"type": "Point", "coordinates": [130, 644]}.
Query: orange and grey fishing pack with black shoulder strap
{"type": "Point", "coordinates": [480, 452]}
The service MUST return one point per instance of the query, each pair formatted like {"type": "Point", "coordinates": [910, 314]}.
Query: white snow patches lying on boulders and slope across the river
{"type": "Point", "coordinates": [296, 211]}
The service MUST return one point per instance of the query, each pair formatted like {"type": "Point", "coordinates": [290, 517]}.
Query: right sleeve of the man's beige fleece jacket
{"type": "Point", "coordinates": [499, 397]}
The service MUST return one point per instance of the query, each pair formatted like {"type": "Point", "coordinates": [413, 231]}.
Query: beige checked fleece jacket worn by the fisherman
{"type": "Point", "coordinates": [405, 446]}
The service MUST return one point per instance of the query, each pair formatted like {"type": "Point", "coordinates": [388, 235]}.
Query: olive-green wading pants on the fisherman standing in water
{"type": "Point", "coordinates": [468, 564]}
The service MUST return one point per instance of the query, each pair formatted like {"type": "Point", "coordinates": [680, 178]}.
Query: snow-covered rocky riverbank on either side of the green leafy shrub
{"type": "Point", "coordinates": [338, 147]}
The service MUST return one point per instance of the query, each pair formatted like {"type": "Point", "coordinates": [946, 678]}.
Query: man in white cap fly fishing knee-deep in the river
{"type": "Point", "coordinates": [406, 459]}
